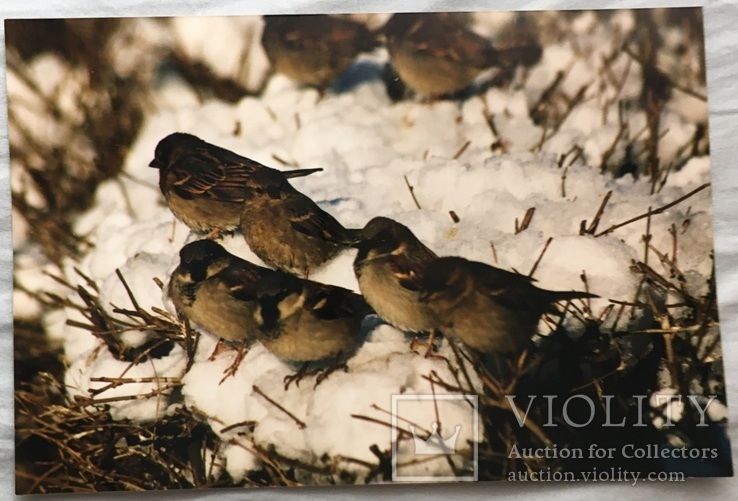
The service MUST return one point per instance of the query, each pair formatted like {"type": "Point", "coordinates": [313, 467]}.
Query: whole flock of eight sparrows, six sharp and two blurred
{"type": "Point", "coordinates": [214, 191]}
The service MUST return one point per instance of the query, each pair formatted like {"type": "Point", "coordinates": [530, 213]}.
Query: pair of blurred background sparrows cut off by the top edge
{"type": "Point", "coordinates": [435, 54]}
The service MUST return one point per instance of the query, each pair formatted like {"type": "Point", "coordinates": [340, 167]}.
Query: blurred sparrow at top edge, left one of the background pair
{"type": "Point", "coordinates": [313, 50]}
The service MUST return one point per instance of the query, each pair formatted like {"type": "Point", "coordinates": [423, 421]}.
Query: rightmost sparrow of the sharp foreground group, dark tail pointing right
{"type": "Point", "coordinates": [493, 311]}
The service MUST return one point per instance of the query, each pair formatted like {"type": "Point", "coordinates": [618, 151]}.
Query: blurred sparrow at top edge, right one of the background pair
{"type": "Point", "coordinates": [436, 55]}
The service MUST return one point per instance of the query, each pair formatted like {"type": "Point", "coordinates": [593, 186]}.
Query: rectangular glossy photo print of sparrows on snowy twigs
{"type": "Point", "coordinates": [365, 248]}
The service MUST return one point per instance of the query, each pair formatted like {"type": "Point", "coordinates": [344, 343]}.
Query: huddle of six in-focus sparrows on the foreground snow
{"type": "Point", "coordinates": [213, 191]}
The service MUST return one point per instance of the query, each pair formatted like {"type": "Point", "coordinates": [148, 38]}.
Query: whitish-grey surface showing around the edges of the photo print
{"type": "Point", "coordinates": [721, 18]}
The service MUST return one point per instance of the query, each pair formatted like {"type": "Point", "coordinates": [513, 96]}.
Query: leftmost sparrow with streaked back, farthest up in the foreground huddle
{"type": "Point", "coordinates": [204, 185]}
